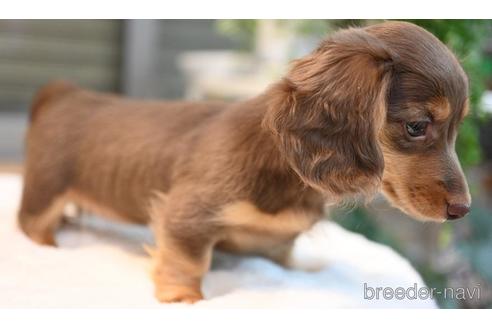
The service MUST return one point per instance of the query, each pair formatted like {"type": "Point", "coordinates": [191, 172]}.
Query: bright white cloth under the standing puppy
{"type": "Point", "coordinates": [102, 264]}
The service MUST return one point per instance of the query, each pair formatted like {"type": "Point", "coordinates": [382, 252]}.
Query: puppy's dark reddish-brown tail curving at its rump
{"type": "Point", "coordinates": [47, 94]}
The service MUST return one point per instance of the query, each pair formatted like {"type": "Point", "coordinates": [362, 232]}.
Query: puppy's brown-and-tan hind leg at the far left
{"type": "Point", "coordinates": [41, 211]}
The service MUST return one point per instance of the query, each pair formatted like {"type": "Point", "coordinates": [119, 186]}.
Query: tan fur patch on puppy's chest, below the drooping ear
{"type": "Point", "coordinates": [251, 230]}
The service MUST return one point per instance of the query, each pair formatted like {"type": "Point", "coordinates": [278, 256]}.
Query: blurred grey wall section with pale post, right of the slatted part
{"type": "Point", "coordinates": [152, 49]}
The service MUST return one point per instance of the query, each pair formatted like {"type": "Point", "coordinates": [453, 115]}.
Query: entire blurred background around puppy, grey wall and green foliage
{"type": "Point", "coordinates": [237, 59]}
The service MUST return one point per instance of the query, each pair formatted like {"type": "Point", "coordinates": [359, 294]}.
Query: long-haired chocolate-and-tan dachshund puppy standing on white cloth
{"type": "Point", "coordinates": [371, 108]}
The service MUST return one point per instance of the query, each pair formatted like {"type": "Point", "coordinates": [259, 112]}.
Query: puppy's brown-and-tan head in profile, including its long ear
{"type": "Point", "coordinates": [377, 107]}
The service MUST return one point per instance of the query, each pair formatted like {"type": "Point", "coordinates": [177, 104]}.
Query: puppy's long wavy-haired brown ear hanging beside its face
{"type": "Point", "coordinates": [327, 113]}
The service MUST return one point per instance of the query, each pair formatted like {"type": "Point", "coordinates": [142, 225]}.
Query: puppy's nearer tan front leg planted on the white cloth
{"type": "Point", "coordinates": [184, 242]}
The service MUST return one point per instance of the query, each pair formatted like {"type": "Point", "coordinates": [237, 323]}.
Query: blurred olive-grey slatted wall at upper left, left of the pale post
{"type": "Point", "coordinates": [33, 52]}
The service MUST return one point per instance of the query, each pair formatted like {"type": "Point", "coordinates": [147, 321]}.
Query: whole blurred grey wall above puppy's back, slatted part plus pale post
{"type": "Point", "coordinates": [134, 56]}
